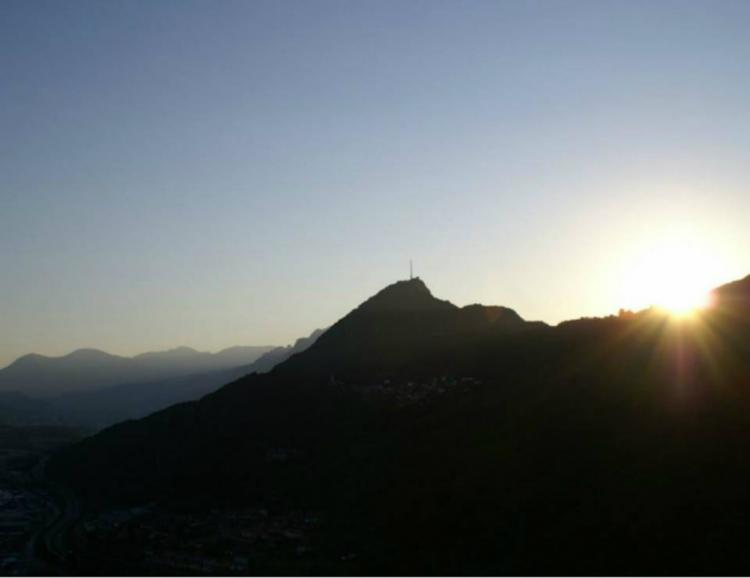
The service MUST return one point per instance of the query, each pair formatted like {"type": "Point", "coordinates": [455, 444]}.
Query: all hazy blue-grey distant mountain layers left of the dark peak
{"type": "Point", "coordinates": [121, 388]}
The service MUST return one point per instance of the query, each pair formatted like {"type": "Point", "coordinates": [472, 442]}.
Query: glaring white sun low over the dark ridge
{"type": "Point", "coordinates": [676, 276]}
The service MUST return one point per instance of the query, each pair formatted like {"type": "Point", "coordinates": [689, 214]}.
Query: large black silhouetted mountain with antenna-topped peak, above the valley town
{"type": "Point", "coordinates": [435, 439]}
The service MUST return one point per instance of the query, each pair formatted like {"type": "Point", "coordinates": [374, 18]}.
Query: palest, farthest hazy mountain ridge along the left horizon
{"type": "Point", "coordinates": [89, 369]}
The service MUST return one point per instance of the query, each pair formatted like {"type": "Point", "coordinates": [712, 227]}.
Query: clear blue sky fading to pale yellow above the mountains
{"type": "Point", "coordinates": [219, 173]}
